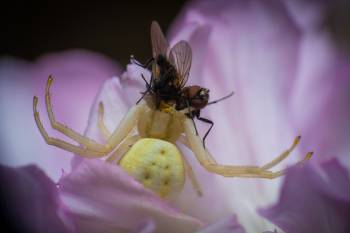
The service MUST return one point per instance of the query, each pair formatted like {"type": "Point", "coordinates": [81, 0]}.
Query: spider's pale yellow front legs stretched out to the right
{"type": "Point", "coordinates": [196, 146]}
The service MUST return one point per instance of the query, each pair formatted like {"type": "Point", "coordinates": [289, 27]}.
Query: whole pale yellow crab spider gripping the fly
{"type": "Point", "coordinates": [151, 155]}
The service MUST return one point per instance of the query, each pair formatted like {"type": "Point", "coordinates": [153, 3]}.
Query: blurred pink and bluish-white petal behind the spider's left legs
{"type": "Point", "coordinates": [78, 75]}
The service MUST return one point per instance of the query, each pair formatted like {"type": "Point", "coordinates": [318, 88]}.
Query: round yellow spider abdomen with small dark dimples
{"type": "Point", "coordinates": [157, 164]}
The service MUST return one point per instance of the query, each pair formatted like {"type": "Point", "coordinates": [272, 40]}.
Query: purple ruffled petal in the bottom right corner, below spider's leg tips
{"type": "Point", "coordinates": [315, 201]}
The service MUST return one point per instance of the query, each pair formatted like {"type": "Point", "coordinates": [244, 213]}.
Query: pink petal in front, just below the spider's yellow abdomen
{"type": "Point", "coordinates": [103, 198]}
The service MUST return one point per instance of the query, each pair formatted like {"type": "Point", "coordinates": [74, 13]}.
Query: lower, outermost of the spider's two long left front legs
{"type": "Point", "coordinates": [60, 143]}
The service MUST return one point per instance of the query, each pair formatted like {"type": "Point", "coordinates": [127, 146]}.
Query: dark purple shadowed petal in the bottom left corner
{"type": "Point", "coordinates": [30, 201]}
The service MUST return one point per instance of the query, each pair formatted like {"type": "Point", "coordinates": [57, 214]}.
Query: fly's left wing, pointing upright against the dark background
{"type": "Point", "coordinates": [159, 43]}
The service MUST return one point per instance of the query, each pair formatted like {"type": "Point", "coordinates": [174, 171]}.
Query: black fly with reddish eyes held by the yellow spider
{"type": "Point", "coordinates": [169, 74]}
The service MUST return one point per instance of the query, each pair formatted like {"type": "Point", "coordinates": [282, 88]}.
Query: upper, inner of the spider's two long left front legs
{"type": "Point", "coordinates": [88, 143]}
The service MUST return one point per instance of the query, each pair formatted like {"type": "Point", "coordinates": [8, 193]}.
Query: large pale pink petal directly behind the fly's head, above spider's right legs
{"type": "Point", "coordinates": [250, 48]}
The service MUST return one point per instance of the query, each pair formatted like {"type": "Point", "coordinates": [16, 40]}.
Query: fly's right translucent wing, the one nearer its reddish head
{"type": "Point", "coordinates": [181, 57]}
